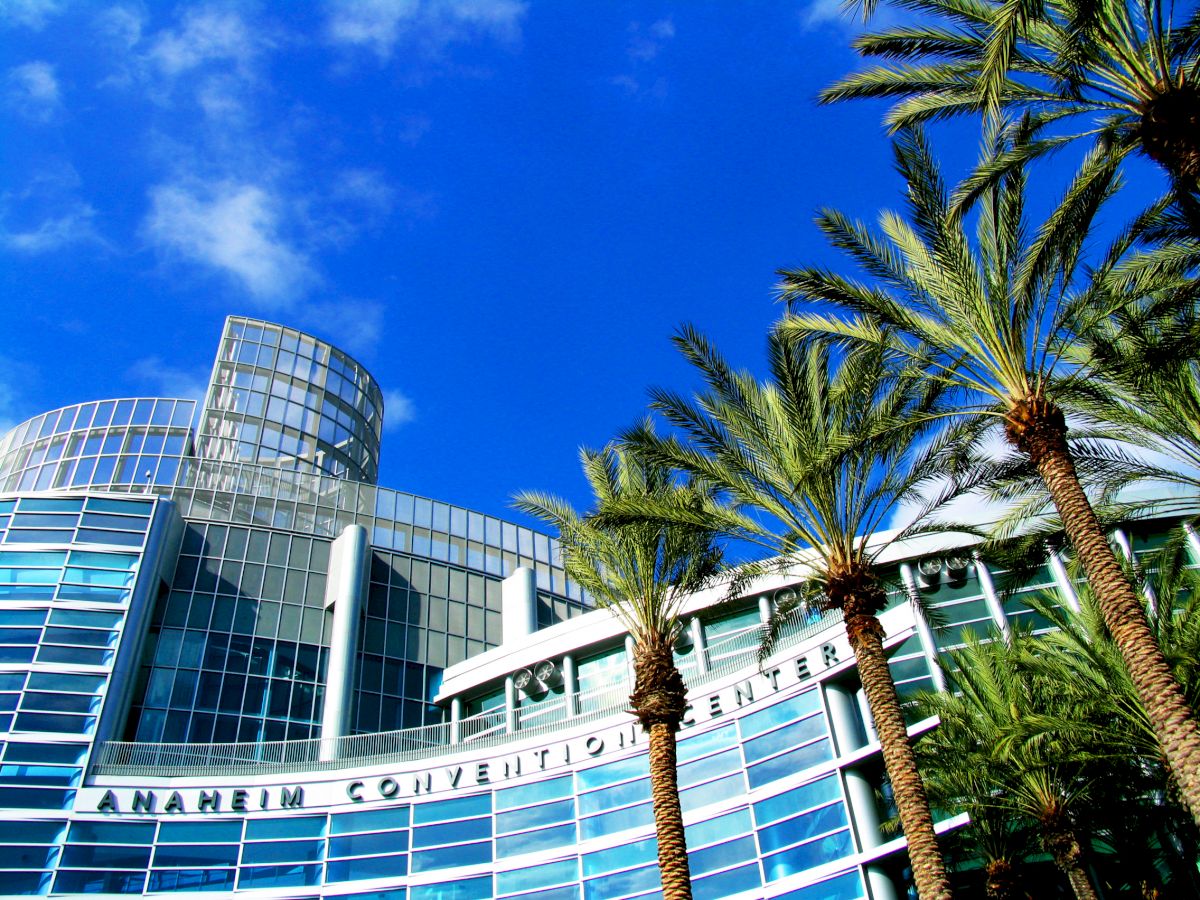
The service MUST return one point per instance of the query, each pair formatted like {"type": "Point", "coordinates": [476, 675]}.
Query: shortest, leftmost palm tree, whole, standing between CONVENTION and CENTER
{"type": "Point", "coordinates": [643, 572]}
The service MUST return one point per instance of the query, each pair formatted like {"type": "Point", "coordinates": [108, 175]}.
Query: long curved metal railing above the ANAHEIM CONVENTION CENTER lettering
{"type": "Point", "coordinates": [485, 730]}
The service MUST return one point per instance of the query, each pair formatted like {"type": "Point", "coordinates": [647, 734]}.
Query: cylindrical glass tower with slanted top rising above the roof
{"type": "Point", "coordinates": [283, 398]}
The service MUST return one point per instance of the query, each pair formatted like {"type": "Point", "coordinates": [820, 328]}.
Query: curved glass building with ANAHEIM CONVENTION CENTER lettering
{"type": "Point", "coordinates": [231, 663]}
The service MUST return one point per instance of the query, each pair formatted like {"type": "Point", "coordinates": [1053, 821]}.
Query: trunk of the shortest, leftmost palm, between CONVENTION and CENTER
{"type": "Point", "coordinates": [659, 701]}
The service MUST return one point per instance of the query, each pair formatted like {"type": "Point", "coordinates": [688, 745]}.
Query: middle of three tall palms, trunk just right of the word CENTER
{"type": "Point", "coordinates": [805, 464]}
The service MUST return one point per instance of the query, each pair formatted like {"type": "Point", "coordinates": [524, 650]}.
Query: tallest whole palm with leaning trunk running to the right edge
{"type": "Point", "coordinates": [994, 319]}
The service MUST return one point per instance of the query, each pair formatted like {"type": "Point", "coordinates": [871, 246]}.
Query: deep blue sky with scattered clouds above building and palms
{"type": "Point", "coordinates": [502, 208]}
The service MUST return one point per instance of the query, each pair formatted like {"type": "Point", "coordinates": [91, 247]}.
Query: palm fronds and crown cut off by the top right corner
{"type": "Point", "coordinates": [1125, 74]}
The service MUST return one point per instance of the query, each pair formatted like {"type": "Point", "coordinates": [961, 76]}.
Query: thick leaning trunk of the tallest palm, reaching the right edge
{"type": "Point", "coordinates": [1045, 439]}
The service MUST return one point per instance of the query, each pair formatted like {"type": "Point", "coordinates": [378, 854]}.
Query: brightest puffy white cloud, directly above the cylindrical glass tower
{"type": "Point", "coordinates": [235, 229]}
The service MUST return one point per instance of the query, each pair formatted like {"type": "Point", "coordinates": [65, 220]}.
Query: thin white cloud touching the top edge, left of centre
{"type": "Point", "coordinates": [379, 26]}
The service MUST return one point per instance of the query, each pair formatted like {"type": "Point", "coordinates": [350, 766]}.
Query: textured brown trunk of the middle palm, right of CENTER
{"type": "Point", "coordinates": [928, 871]}
